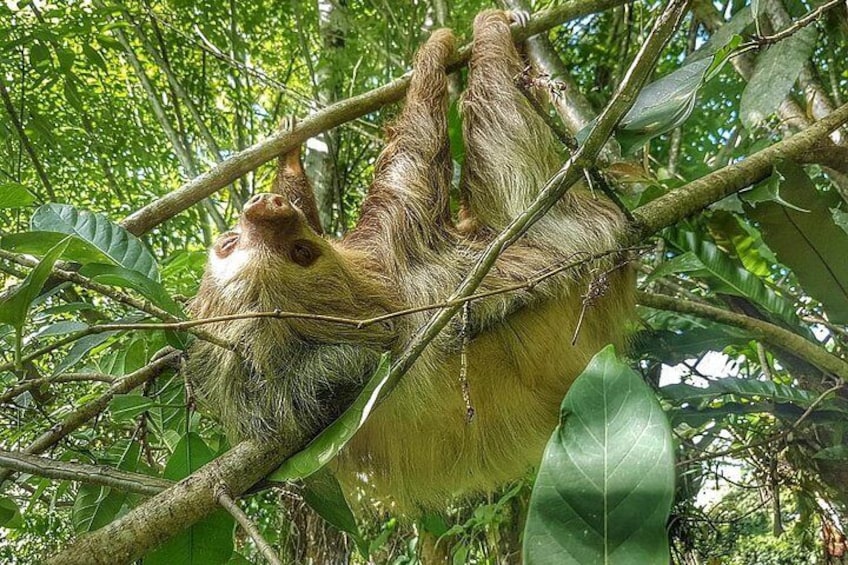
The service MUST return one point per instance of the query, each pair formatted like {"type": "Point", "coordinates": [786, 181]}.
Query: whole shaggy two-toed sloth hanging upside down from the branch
{"type": "Point", "coordinates": [294, 376]}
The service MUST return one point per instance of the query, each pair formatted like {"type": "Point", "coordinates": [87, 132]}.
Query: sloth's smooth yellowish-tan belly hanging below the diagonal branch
{"type": "Point", "coordinates": [419, 449]}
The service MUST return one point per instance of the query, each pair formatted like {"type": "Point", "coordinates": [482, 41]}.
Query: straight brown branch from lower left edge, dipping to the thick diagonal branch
{"type": "Point", "coordinates": [83, 472]}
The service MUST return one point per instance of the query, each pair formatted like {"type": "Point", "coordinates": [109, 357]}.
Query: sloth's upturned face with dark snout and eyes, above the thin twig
{"type": "Point", "coordinates": [275, 260]}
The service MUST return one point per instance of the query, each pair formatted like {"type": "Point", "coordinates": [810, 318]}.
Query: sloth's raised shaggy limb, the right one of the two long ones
{"type": "Point", "coordinates": [509, 151]}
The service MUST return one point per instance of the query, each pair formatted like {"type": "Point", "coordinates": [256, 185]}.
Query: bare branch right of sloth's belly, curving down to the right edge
{"type": "Point", "coordinates": [769, 333]}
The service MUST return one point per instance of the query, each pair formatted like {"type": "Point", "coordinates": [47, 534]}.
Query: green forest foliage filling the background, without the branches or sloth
{"type": "Point", "coordinates": [106, 107]}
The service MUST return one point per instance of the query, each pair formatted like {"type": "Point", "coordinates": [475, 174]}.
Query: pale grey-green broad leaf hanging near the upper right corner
{"type": "Point", "coordinates": [775, 73]}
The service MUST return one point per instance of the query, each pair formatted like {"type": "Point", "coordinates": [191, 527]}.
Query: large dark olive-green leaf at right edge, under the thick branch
{"type": "Point", "coordinates": [806, 239]}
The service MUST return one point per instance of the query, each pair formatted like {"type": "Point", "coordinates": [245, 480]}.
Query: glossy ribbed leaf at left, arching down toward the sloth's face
{"type": "Point", "coordinates": [112, 240]}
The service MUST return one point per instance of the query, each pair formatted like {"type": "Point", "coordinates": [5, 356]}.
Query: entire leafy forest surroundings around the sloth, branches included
{"type": "Point", "coordinates": [133, 133]}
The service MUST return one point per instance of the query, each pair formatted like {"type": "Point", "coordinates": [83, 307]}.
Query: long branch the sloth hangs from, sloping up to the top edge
{"type": "Point", "coordinates": [245, 161]}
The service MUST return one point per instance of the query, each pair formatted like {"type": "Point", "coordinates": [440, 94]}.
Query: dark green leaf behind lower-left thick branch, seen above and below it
{"type": "Point", "coordinates": [209, 541]}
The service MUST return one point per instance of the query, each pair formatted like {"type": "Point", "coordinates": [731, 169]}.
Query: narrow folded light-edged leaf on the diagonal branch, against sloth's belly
{"type": "Point", "coordinates": [328, 443]}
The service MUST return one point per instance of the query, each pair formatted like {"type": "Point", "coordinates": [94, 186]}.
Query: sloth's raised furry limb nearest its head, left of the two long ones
{"type": "Point", "coordinates": [406, 211]}
